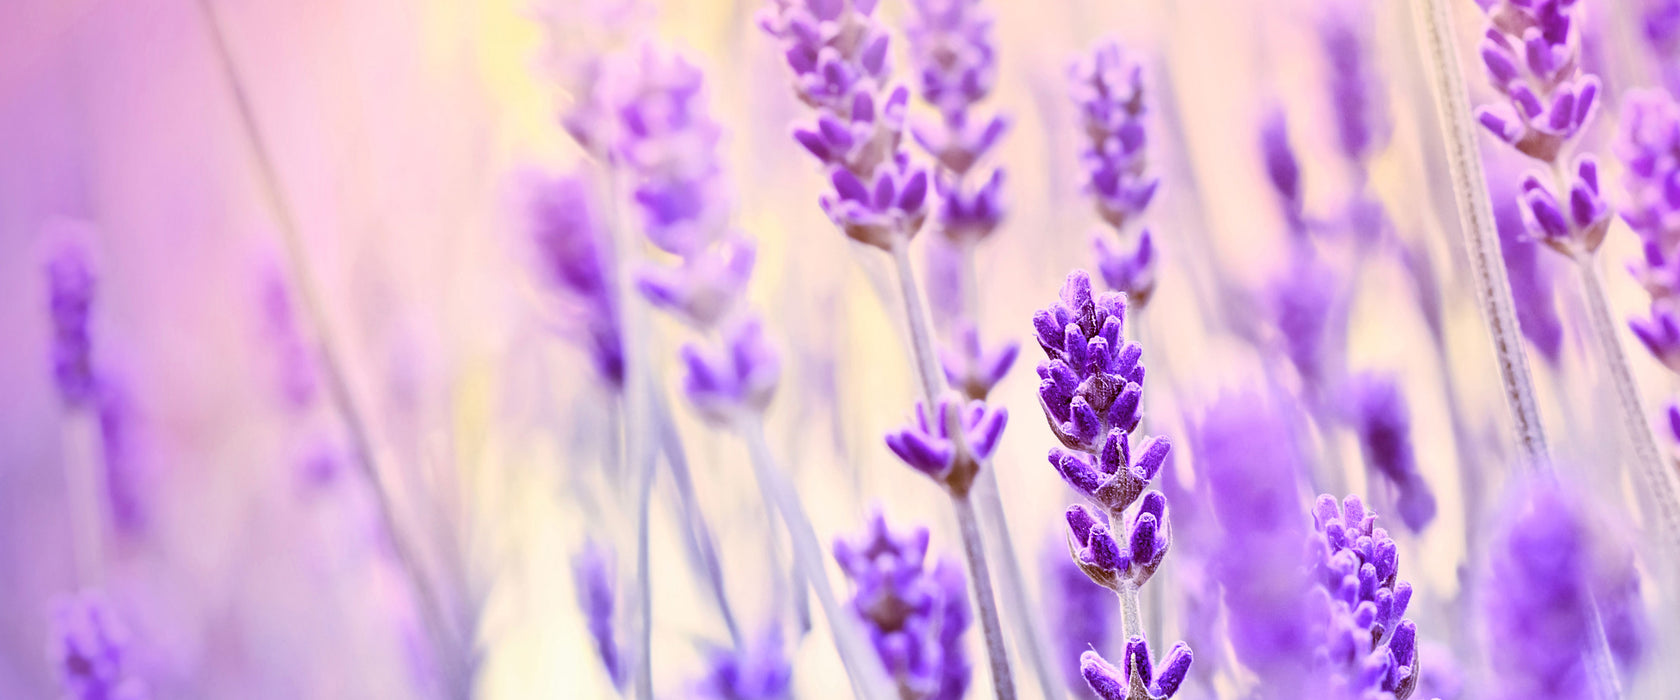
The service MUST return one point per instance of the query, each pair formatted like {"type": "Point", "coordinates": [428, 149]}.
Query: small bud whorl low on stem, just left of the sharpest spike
{"type": "Point", "coordinates": [952, 442]}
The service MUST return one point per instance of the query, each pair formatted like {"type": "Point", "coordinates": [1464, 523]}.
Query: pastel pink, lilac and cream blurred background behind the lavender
{"type": "Point", "coordinates": [244, 545]}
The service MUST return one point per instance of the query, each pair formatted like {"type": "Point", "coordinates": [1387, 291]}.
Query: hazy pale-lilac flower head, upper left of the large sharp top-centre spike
{"type": "Point", "coordinates": [669, 144]}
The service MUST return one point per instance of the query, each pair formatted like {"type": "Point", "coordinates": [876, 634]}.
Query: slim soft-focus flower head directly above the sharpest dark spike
{"type": "Point", "coordinates": [1110, 93]}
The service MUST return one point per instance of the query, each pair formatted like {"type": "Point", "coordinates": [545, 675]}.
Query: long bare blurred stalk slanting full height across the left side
{"type": "Point", "coordinates": [433, 609]}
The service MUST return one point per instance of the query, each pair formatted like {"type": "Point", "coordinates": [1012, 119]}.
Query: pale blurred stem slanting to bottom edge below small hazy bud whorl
{"type": "Point", "coordinates": [869, 679]}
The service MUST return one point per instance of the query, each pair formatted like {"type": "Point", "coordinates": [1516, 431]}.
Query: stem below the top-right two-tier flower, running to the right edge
{"type": "Point", "coordinates": [1652, 473]}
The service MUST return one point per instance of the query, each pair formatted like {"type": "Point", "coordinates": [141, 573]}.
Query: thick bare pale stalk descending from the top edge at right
{"type": "Point", "coordinates": [1476, 217]}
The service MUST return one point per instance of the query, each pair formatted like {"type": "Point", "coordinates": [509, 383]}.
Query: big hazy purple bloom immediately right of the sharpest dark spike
{"type": "Point", "coordinates": [1252, 466]}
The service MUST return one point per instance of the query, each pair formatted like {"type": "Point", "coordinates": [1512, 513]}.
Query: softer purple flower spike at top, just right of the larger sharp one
{"type": "Point", "coordinates": [957, 68]}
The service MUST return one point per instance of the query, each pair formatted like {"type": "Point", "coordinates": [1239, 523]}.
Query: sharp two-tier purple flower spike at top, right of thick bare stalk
{"type": "Point", "coordinates": [1533, 55]}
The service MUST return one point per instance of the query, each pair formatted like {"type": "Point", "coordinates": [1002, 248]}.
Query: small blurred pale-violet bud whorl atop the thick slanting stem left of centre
{"type": "Point", "coordinates": [737, 379]}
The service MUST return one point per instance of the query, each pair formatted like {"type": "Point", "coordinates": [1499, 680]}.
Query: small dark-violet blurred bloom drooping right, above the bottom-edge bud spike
{"type": "Point", "coordinates": [1383, 421]}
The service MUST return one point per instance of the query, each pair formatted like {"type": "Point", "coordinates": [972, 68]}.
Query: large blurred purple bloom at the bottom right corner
{"type": "Point", "coordinates": [1548, 568]}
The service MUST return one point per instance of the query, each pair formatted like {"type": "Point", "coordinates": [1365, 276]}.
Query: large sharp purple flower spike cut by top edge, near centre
{"type": "Point", "coordinates": [837, 51]}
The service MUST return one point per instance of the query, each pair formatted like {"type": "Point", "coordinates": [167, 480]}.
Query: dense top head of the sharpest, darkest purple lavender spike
{"type": "Point", "coordinates": [1093, 380]}
